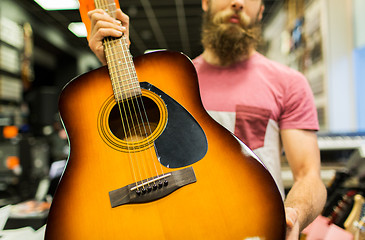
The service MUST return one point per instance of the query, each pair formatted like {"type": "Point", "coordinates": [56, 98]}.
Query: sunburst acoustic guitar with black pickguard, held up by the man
{"type": "Point", "coordinates": [147, 162]}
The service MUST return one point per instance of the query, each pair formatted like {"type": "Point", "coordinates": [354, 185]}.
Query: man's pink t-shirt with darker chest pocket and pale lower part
{"type": "Point", "coordinates": [256, 98]}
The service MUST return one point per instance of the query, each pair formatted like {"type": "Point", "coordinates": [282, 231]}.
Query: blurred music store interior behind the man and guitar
{"type": "Point", "coordinates": [39, 55]}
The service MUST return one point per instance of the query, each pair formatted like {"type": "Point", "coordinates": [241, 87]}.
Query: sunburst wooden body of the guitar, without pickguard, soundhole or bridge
{"type": "Point", "coordinates": [234, 196]}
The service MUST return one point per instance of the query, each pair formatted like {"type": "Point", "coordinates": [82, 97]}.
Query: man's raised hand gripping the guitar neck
{"type": "Point", "coordinates": [103, 25]}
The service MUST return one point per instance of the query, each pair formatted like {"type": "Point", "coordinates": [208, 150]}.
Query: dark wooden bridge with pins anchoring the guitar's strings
{"type": "Point", "coordinates": [153, 188]}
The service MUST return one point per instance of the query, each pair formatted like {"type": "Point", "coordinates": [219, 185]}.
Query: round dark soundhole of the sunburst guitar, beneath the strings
{"type": "Point", "coordinates": [134, 119]}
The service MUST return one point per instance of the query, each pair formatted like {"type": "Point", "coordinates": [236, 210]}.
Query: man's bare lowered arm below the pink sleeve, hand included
{"type": "Point", "coordinates": [307, 196]}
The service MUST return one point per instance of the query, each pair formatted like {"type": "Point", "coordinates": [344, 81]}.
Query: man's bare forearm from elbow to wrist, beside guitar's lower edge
{"type": "Point", "coordinates": [307, 196]}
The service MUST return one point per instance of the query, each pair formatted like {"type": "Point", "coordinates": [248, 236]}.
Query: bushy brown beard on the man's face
{"type": "Point", "coordinates": [230, 42]}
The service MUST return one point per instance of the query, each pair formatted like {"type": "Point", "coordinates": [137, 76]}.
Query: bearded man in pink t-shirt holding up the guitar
{"type": "Point", "coordinates": [267, 105]}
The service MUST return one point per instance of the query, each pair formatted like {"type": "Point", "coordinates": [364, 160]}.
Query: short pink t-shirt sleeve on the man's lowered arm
{"type": "Point", "coordinates": [299, 111]}
